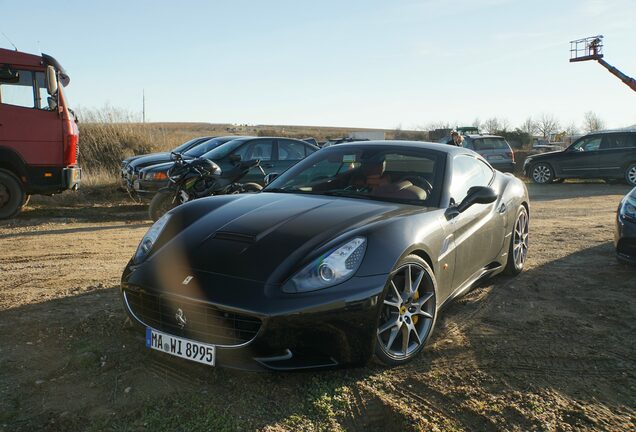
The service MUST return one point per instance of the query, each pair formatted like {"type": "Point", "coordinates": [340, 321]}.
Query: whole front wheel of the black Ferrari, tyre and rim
{"type": "Point", "coordinates": [401, 314]}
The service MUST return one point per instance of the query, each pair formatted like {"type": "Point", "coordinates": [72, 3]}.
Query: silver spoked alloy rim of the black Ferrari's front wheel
{"type": "Point", "coordinates": [408, 312]}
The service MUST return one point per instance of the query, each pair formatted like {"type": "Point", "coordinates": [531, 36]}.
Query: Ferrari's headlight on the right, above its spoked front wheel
{"type": "Point", "coordinates": [332, 268]}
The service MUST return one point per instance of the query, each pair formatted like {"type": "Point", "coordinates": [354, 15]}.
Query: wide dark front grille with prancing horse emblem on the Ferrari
{"type": "Point", "coordinates": [204, 322]}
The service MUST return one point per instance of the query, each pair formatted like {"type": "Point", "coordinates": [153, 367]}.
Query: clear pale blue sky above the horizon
{"type": "Point", "coordinates": [342, 63]}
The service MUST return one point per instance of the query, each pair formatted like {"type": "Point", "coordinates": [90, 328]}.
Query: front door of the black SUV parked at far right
{"type": "Point", "coordinates": [581, 159]}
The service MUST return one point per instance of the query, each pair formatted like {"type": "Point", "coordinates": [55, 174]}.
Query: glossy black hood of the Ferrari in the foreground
{"type": "Point", "coordinates": [264, 236]}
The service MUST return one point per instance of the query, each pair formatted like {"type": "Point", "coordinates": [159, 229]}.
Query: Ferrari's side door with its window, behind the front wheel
{"type": "Point", "coordinates": [475, 230]}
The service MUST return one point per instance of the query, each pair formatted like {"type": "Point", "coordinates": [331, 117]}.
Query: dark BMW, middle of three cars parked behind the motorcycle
{"type": "Point", "coordinates": [149, 179]}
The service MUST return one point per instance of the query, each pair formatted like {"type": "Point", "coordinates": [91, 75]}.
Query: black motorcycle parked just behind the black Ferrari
{"type": "Point", "coordinates": [198, 178]}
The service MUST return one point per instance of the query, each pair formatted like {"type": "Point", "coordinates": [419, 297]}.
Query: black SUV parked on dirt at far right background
{"type": "Point", "coordinates": [609, 155]}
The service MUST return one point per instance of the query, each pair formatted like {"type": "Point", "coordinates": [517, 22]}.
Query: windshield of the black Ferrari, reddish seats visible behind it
{"type": "Point", "coordinates": [394, 174]}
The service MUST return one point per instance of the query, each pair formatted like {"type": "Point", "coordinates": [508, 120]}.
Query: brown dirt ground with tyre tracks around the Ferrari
{"type": "Point", "coordinates": [552, 349]}
